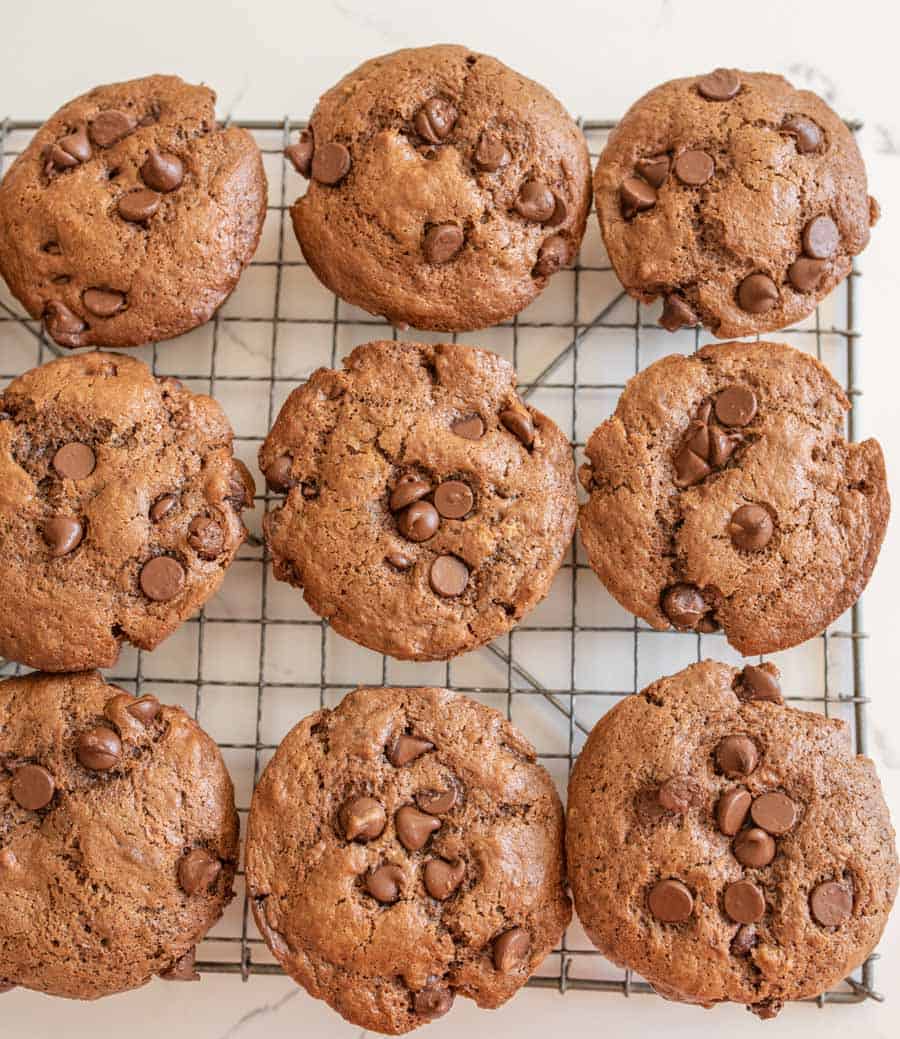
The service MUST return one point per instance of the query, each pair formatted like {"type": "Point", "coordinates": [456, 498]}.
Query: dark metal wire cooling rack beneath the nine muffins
{"type": "Point", "coordinates": [256, 659]}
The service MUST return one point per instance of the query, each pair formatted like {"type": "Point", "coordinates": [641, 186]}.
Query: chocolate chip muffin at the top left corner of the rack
{"type": "Point", "coordinates": [131, 215]}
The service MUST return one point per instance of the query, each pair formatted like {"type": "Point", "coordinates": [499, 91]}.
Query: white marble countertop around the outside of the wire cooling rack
{"type": "Point", "coordinates": [268, 59]}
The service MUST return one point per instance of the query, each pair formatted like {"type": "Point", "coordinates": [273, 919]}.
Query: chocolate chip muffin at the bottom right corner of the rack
{"type": "Point", "coordinates": [727, 847]}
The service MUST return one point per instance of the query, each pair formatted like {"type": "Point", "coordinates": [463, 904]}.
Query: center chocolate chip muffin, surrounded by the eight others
{"type": "Point", "coordinates": [429, 508]}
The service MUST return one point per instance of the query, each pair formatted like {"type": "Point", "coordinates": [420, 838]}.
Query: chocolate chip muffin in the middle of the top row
{"type": "Point", "coordinates": [445, 189]}
